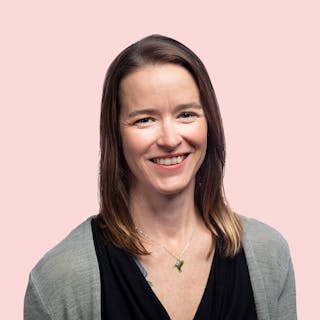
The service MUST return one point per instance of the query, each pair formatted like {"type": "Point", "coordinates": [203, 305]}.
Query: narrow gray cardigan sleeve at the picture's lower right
{"type": "Point", "coordinates": [287, 298]}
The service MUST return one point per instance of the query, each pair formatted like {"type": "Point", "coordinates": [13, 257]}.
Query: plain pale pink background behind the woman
{"type": "Point", "coordinates": [263, 58]}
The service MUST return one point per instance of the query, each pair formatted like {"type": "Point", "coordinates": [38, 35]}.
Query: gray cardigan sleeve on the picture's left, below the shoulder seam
{"type": "Point", "coordinates": [34, 307]}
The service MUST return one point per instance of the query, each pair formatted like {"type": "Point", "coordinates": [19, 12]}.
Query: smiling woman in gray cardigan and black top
{"type": "Point", "coordinates": [165, 244]}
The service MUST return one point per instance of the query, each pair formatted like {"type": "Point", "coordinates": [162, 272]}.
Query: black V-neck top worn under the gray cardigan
{"type": "Point", "coordinates": [126, 294]}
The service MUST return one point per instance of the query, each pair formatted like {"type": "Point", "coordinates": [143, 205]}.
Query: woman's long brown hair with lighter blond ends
{"type": "Point", "coordinates": [114, 216]}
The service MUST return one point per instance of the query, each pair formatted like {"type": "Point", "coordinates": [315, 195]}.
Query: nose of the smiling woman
{"type": "Point", "coordinates": [169, 136]}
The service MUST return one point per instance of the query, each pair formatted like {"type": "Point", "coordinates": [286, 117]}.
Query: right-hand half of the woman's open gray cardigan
{"type": "Point", "coordinates": [270, 268]}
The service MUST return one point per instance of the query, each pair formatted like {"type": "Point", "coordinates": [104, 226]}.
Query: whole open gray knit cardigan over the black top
{"type": "Point", "coordinates": [65, 284]}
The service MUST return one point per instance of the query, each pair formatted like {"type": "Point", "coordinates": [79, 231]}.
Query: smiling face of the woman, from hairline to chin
{"type": "Point", "coordinates": [163, 128]}
